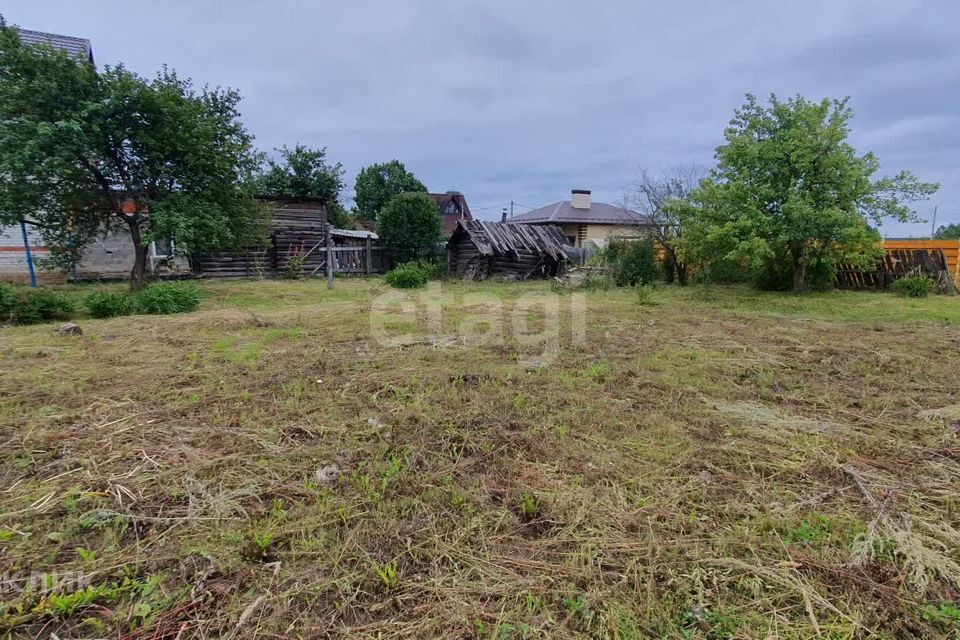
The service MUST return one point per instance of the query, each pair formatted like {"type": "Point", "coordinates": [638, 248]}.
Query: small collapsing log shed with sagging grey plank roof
{"type": "Point", "coordinates": [478, 249]}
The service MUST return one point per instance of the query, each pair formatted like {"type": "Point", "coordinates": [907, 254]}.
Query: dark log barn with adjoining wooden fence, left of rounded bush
{"type": "Point", "coordinates": [298, 239]}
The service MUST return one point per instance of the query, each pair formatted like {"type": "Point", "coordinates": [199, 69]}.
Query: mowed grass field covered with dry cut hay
{"type": "Point", "coordinates": [720, 464]}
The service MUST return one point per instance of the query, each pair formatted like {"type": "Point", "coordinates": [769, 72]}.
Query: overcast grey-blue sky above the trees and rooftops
{"type": "Point", "coordinates": [524, 99]}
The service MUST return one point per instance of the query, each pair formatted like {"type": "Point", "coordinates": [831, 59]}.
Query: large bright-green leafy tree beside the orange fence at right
{"type": "Point", "coordinates": [790, 194]}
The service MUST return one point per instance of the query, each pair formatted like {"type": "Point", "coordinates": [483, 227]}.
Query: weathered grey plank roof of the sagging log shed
{"type": "Point", "coordinates": [504, 238]}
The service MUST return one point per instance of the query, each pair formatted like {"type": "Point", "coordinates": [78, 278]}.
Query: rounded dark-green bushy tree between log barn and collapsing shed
{"type": "Point", "coordinates": [410, 227]}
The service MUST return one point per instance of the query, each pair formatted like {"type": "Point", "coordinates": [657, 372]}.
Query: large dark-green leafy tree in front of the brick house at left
{"type": "Point", "coordinates": [84, 153]}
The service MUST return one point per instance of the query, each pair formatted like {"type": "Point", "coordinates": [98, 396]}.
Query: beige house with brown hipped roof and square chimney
{"type": "Point", "coordinates": [586, 223]}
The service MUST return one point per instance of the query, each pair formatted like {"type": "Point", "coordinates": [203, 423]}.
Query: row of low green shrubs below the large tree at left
{"type": "Point", "coordinates": [23, 305]}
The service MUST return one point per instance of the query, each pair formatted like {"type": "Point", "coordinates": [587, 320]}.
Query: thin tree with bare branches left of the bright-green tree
{"type": "Point", "coordinates": [655, 197]}
